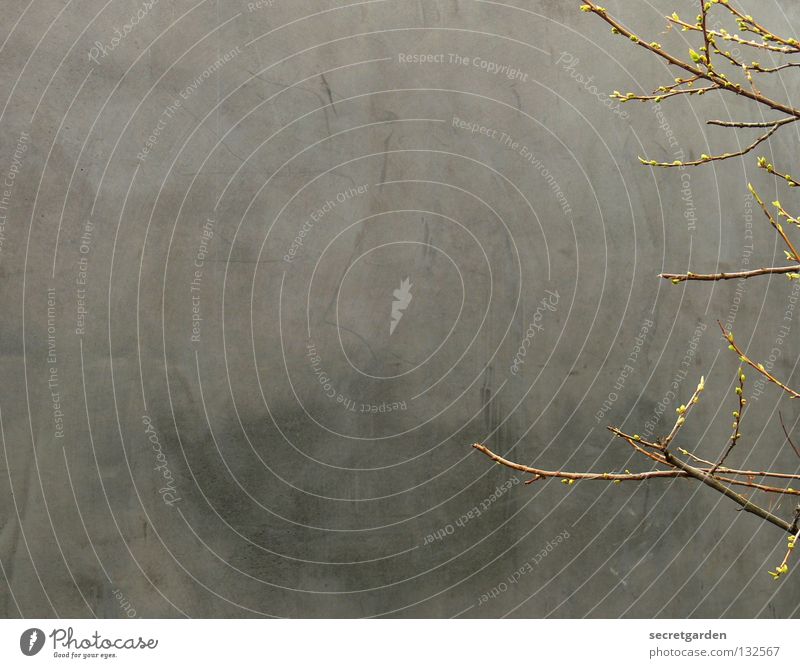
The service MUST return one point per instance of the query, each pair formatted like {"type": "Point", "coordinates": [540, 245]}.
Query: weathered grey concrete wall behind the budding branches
{"type": "Point", "coordinates": [268, 269]}
